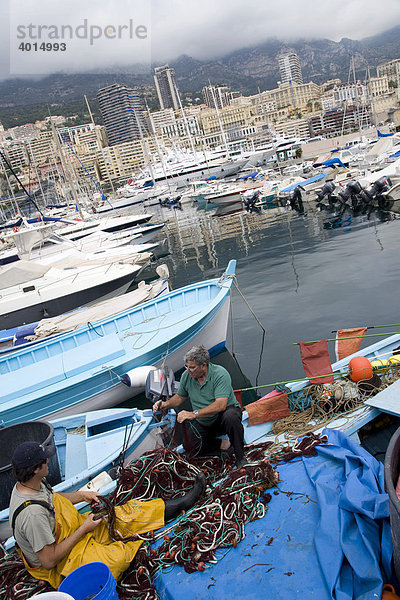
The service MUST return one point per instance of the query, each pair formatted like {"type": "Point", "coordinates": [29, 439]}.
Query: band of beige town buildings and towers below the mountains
{"type": "Point", "coordinates": [131, 136]}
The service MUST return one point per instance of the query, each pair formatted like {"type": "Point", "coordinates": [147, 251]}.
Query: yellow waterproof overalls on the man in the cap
{"type": "Point", "coordinates": [132, 517]}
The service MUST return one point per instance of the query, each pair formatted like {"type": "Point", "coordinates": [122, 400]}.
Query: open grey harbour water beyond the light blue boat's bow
{"type": "Point", "coordinates": [303, 276]}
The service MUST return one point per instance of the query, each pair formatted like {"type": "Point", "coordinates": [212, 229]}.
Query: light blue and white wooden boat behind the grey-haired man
{"type": "Point", "coordinates": [82, 370]}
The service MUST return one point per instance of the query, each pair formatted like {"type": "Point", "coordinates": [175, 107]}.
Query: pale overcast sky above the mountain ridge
{"type": "Point", "coordinates": [104, 33]}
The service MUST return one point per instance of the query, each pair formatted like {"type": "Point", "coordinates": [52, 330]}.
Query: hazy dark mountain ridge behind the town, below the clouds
{"type": "Point", "coordinates": [247, 70]}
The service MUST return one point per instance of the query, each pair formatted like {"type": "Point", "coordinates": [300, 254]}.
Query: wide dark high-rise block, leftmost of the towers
{"type": "Point", "coordinates": [121, 110]}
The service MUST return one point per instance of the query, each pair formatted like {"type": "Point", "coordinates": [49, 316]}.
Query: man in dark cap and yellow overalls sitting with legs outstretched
{"type": "Point", "coordinates": [53, 539]}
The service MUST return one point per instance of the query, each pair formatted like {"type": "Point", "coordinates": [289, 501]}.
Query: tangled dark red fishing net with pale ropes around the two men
{"type": "Point", "coordinates": [199, 537]}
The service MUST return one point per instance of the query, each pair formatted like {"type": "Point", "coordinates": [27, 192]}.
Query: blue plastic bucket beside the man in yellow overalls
{"type": "Point", "coordinates": [94, 581]}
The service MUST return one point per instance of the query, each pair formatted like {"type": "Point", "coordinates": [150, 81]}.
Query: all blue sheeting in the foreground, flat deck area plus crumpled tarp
{"type": "Point", "coordinates": [326, 536]}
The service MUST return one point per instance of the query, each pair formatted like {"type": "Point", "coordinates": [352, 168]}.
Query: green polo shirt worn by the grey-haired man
{"type": "Point", "coordinates": [217, 384]}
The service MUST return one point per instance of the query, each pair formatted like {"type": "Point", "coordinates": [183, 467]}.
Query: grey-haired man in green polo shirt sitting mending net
{"type": "Point", "coordinates": [215, 408]}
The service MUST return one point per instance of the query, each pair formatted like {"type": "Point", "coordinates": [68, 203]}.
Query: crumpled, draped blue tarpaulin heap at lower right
{"type": "Point", "coordinates": [352, 540]}
